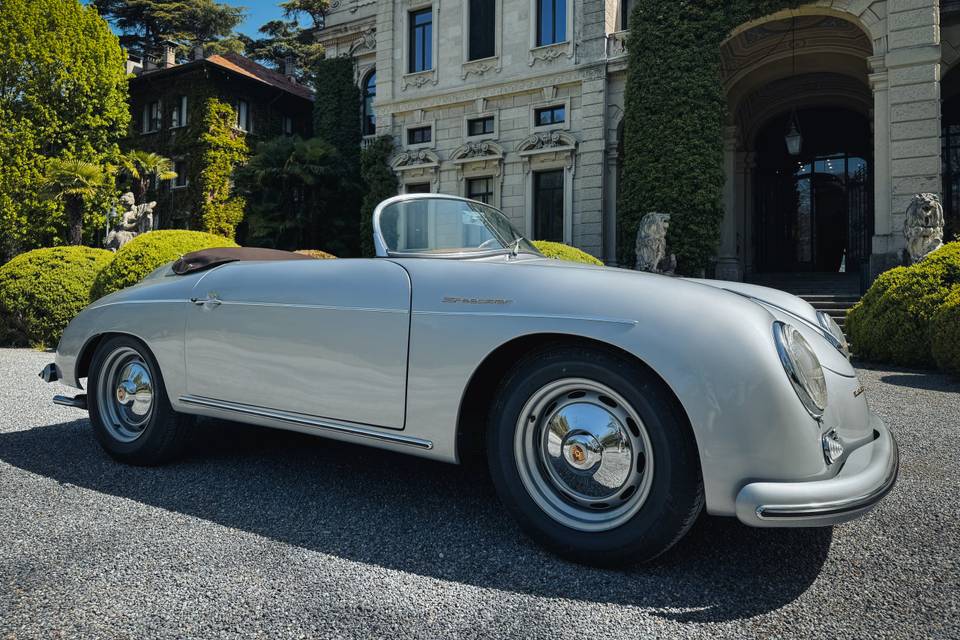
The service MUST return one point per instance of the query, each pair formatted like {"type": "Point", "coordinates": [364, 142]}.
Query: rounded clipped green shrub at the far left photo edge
{"type": "Point", "coordinates": [42, 290]}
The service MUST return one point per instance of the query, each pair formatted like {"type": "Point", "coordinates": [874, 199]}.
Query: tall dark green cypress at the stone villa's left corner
{"type": "Point", "coordinates": [336, 120]}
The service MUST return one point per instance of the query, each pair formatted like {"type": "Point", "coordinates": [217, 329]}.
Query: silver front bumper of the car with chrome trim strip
{"type": "Point", "coordinates": [868, 474]}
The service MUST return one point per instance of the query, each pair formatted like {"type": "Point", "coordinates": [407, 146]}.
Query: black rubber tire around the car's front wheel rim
{"type": "Point", "coordinates": [673, 494]}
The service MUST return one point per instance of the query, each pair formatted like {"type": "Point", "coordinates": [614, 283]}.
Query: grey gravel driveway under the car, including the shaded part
{"type": "Point", "coordinates": [264, 533]}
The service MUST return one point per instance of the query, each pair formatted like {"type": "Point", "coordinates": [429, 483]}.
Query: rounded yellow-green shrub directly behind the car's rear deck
{"type": "Point", "coordinates": [145, 253]}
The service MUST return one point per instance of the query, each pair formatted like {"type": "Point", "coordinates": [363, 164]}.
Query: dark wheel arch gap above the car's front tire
{"type": "Point", "coordinates": [478, 395]}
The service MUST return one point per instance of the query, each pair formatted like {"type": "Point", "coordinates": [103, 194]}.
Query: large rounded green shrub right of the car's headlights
{"type": "Point", "coordinates": [894, 320]}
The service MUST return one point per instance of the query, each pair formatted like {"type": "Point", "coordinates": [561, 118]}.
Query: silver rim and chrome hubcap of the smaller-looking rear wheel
{"type": "Point", "coordinates": [125, 394]}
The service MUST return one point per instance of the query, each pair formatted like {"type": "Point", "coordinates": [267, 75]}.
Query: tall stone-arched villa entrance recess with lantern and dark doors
{"type": "Point", "coordinates": [811, 212]}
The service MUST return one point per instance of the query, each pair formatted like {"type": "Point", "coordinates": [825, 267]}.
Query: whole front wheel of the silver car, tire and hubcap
{"type": "Point", "coordinates": [588, 451]}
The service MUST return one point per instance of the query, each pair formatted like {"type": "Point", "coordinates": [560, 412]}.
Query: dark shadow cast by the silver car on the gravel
{"type": "Point", "coordinates": [423, 517]}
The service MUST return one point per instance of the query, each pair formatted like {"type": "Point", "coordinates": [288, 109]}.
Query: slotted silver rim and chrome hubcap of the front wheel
{"type": "Point", "coordinates": [583, 454]}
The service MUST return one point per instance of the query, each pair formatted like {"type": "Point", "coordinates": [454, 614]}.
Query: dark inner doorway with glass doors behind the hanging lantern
{"type": "Point", "coordinates": [814, 211]}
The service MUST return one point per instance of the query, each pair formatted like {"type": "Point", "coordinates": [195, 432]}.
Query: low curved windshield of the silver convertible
{"type": "Point", "coordinates": [447, 226]}
